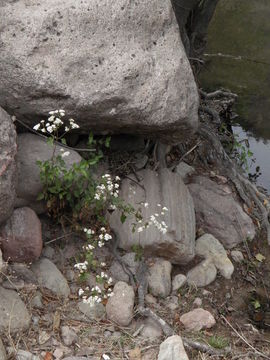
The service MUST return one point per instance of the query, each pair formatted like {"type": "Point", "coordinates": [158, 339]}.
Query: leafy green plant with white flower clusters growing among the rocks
{"type": "Point", "coordinates": [74, 194]}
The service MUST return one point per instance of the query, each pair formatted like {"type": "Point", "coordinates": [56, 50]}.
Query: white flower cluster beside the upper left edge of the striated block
{"type": "Point", "coordinates": [108, 188]}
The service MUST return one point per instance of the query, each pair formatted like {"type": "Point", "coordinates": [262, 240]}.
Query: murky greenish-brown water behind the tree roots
{"type": "Point", "coordinates": [240, 31]}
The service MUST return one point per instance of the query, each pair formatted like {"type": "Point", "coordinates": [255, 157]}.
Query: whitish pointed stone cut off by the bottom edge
{"type": "Point", "coordinates": [172, 349]}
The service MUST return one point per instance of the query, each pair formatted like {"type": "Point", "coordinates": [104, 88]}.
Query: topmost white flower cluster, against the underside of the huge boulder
{"type": "Point", "coordinates": [54, 122]}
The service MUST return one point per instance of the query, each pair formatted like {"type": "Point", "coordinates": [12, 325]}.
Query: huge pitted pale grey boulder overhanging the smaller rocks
{"type": "Point", "coordinates": [116, 65]}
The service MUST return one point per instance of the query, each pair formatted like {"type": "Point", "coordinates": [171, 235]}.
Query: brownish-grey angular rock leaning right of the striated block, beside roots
{"type": "Point", "coordinates": [218, 213]}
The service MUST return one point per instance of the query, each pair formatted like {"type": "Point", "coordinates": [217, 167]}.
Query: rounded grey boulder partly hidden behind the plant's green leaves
{"type": "Point", "coordinates": [32, 148]}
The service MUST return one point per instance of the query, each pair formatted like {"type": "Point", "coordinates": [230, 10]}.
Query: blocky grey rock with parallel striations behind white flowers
{"type": "Point", "coordinates": [167, 189]}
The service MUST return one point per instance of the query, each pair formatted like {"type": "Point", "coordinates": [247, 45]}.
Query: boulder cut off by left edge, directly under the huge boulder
{"type": "Point", "coordinates": [8, 149]}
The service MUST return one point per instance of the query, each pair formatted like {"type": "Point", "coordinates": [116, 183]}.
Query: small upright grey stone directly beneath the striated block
{"type": "Point", "coordinates": [159, 278]}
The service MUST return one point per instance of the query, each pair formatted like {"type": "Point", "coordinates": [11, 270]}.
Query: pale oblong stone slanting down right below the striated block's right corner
{"type": "Point", "coordinates": [209, 247]}
